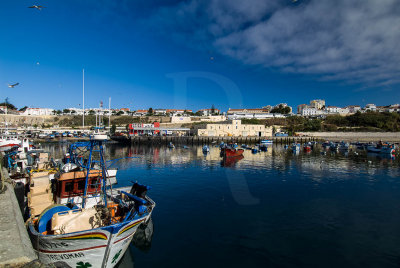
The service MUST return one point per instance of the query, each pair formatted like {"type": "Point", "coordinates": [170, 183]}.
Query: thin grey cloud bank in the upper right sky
{"type": "Point", "coordinates": [351, 40]}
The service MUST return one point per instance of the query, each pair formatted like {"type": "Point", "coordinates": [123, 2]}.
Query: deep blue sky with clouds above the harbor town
{"type": "Point", "coordinates": [195, 53]}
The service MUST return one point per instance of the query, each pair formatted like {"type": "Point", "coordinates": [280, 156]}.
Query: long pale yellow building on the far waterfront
{"type": "Point", "coordinates": [235, 129]}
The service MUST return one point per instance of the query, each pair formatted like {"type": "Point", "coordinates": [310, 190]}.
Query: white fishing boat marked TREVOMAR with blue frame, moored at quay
{"type": "Point", "coordinates": [96, 226]}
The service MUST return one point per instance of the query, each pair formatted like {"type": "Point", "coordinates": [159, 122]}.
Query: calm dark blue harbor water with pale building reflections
{"type": "Point", "coordinates": [272, 209]}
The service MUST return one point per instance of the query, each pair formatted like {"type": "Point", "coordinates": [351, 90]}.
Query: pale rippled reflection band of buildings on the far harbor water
{"type": "Point", "coordinates": [277, 157]}
